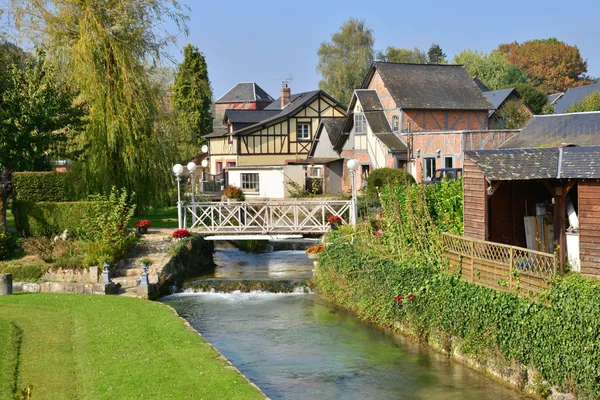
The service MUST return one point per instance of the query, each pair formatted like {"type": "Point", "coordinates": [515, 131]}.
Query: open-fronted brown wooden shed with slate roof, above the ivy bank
{"type": "Point", "coordinates": [542, 199]}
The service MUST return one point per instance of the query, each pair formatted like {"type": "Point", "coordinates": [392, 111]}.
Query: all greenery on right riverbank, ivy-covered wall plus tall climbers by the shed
{"type": "Point", "coordinates": [391, 272]}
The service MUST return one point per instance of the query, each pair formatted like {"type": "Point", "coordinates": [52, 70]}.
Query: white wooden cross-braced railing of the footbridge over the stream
{"type": "Point", "coordinates": [273, 217]}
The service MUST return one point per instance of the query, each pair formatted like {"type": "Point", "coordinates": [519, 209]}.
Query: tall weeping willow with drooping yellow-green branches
{"type": "Point", "coordinates": [106, 48]}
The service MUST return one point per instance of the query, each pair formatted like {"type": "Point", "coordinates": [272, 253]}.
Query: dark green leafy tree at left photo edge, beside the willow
{"type": "Point", "coordinates": [36, 110]}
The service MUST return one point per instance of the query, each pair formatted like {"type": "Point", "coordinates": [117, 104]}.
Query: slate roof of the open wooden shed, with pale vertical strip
{"type": "Point", "coordinates": [543, 163]}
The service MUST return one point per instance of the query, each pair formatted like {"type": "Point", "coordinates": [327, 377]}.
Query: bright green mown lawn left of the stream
{"type": "Point", "coordinates": [108, 347]}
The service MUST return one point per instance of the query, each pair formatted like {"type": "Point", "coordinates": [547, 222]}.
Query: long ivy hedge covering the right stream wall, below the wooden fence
{"type": "Point", "coordinates": [561, 341]}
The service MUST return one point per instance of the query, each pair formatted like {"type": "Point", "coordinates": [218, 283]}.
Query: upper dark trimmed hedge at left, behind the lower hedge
{"type": "Point", "coordinates": [44, 186]}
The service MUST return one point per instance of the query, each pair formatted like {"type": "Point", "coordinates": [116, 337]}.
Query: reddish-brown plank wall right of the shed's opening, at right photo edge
{"type": "Point", "coordinates": [589, 227]}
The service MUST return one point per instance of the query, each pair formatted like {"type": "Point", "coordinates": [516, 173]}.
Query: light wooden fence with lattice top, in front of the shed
{"type": "Point", "coordinates": [499, 266]}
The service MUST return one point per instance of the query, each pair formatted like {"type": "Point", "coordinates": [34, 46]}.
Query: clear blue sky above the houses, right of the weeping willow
{"type": "Point", "coordinates": [264, 41]}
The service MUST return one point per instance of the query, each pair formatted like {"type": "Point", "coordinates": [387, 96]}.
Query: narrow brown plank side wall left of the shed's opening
{"type": "Point", "coordinates": [475, 201]}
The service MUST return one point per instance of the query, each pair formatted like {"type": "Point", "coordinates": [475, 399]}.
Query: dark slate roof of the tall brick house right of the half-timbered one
{"type": "Point", "coordinates": [430, 86]}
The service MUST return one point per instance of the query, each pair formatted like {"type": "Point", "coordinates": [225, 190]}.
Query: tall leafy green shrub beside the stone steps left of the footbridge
{"type": "Point", "coordinates": [106, 228]}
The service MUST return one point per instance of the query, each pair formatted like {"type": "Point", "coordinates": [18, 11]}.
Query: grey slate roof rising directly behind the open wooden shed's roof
{"type": "Point", "coordinates": [582, 129]}
